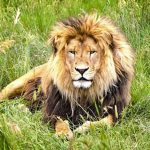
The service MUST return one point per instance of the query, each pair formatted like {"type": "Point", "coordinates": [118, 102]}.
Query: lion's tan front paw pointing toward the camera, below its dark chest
{"type": "Point", "coordinates": [62, 129]}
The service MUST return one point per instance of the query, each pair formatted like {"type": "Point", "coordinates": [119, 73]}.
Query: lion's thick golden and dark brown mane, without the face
{"type": "Point", "coordinates": [111, 87]}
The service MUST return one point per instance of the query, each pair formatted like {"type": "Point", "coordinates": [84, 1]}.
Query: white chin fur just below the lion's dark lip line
{"type": "Point", "coordinates": [82, 84]}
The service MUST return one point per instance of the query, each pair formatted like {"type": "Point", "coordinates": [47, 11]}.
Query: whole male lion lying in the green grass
{"type": "Point", "coordinates": [88, 76]}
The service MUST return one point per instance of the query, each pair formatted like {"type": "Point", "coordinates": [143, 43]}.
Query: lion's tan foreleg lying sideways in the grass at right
{"type": "Point", "coordinates": [88, 124]}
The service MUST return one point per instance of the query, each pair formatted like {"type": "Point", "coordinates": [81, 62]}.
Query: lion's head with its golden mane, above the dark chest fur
{"type": "Point", "coordinates": [89, 55]}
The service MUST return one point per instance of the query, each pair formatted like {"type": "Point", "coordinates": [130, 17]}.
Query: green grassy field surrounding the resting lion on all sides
{"type": "Point", "coordinates": [23, 46]}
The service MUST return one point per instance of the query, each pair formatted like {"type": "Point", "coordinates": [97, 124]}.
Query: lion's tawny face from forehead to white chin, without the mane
{"type": "Point", "coordinates": [82, 59]}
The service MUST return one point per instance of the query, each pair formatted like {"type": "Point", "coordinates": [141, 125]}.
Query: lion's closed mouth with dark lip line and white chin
{"type": "Point", "coordinates": [82, 83]}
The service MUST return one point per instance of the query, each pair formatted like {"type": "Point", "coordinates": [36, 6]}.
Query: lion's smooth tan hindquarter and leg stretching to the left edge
{"type": "Point", "coordinates": [17, 86]}
